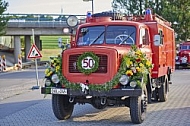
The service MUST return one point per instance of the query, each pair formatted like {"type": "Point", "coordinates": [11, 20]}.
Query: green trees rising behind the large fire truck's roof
{"type": "Point", "coordinates": [175, 11]}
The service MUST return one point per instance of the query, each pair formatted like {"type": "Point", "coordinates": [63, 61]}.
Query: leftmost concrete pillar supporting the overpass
{"type": "Point", "coordinates": [17, 48]}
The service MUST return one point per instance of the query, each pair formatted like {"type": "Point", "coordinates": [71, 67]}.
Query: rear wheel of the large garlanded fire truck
{"type": "Point", "coordinates": [163, 91]}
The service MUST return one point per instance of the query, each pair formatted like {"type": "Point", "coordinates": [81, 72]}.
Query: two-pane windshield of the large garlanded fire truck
{"type": "Point", "coordinates": [118, 35]}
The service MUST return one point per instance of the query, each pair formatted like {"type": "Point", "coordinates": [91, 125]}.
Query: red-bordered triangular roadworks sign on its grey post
{"type": "Point", "coordinates": [34, 53]}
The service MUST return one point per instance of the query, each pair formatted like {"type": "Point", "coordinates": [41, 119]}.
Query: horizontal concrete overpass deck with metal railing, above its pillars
{"type": "Point", "coordinates": [40, 27]}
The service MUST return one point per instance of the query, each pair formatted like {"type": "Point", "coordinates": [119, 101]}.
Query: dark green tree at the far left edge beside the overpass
{"type": "Point", "coordinates": [3, 19]}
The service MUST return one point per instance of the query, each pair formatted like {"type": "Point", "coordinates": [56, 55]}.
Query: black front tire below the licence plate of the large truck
{"type": "Point", "coordinates": [62, 108]}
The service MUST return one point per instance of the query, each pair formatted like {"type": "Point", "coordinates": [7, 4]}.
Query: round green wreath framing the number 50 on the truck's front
{"type": "Point", "coordinates": [94, 62]}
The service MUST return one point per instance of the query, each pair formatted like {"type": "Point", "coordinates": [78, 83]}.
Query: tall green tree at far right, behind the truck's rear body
{"type": "Point", "coordinates": [178, 12]}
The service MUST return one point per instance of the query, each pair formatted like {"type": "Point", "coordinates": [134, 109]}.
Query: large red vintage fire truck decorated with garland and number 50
{"type": "Point", "coordinates": [113, 60]}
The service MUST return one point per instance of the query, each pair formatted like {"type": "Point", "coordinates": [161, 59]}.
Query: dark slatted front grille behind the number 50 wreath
{"type": "Point", "coordinates": [102, 63]}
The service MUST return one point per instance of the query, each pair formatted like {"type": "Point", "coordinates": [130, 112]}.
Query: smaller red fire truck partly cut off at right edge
{"type": "Point", "coordinates": [183, 55]}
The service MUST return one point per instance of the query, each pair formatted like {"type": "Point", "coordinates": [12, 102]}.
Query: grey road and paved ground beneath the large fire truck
{"type": "Point", "coordinates": [30, 108]}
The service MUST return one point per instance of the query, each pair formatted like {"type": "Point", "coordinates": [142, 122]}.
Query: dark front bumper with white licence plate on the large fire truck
{"type": "Point", "coordinates": [111, 93]}
